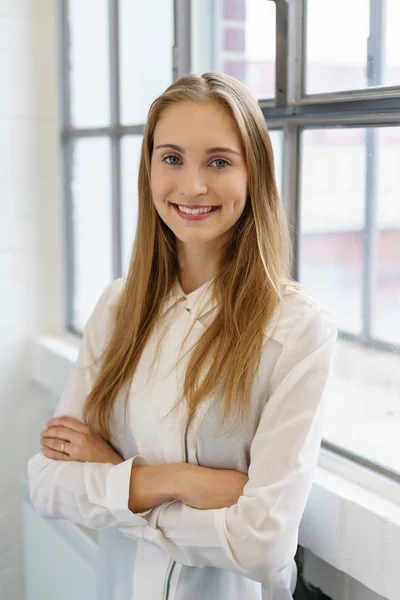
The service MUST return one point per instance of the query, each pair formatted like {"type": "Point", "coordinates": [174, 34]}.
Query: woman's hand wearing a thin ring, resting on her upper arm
{"type": "Point", "coordinates": [81, 443]}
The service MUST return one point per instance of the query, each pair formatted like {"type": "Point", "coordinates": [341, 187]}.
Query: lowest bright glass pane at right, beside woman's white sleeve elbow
{"type": "Point", "coordinates": [363, 403]}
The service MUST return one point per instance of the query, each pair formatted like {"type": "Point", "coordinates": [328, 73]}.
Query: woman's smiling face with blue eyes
{"type": "Point", "coordinates": [198, 162]}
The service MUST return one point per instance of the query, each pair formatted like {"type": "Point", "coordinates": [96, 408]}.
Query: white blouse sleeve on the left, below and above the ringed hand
{"type": "Point", "coordinates": [91, 494]}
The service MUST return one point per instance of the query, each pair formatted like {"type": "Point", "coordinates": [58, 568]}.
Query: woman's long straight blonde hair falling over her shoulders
{"type": "Point", "coordinates": [254, 266]}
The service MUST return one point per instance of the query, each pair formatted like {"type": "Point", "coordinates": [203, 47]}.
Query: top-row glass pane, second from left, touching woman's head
{"type": "Point", "coordinates": [146, 41]}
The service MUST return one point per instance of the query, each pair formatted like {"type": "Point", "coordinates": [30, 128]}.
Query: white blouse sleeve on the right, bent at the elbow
{"type": "Point", "coordinates": [258, 536]}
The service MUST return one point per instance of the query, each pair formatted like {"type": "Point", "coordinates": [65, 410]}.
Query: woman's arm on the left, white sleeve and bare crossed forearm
{"type": "Point", "coordinates": [108, 492]}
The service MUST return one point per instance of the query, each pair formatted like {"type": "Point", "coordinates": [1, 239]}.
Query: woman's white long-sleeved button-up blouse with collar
{"type": "Point", "coordinates": [173, 551]}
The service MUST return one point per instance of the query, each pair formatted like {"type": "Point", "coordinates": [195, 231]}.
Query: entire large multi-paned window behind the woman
{"type": "Point", "coordinates": [329, 88]}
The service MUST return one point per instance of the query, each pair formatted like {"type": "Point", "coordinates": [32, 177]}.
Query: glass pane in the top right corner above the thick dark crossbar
{"type": "Point", "coordinates": [333, 66]}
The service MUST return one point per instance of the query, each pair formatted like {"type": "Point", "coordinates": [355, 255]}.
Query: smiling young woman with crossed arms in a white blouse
{"type": "Point", "coordinates": [190, 430]}
